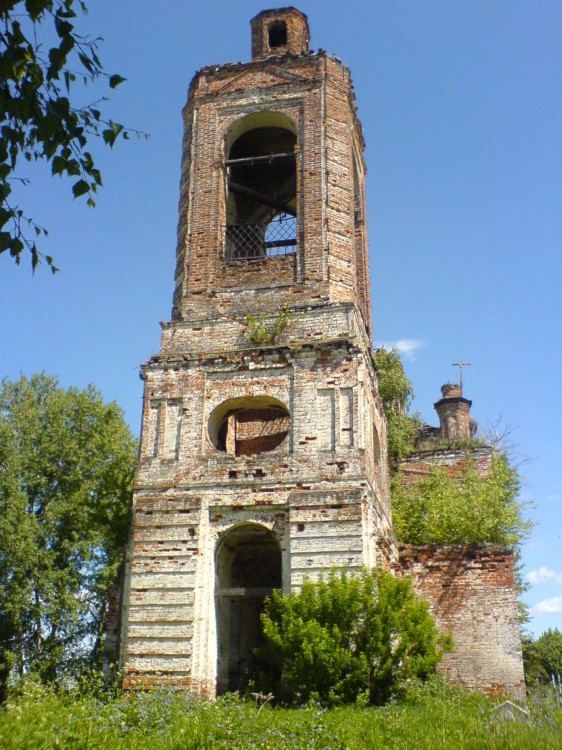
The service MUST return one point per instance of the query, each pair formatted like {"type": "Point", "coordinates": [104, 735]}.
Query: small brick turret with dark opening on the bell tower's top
{"type": "Point", "coordinates": [278, 32]}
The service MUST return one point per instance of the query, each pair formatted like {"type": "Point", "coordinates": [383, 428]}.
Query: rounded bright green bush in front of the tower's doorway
{"type": "Point", "coordinates": [348, 638]}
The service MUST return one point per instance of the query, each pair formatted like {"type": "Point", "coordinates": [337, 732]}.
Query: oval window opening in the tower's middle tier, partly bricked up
{"type": "Point", "coordinates": [249, 426]}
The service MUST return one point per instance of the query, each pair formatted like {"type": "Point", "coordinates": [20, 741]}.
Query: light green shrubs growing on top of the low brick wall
{"type": "Point", "coordinates": [460, 508]}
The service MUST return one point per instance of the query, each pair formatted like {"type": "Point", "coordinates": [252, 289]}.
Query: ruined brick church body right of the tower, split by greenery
{"type": "Point", "coordinates": [471, 590]}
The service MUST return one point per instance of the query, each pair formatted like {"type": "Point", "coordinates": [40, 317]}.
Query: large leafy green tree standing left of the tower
{"type": "Point", "coordinates": [66, 465]}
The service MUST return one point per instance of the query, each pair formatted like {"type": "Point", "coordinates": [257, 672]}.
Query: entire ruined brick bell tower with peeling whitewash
{"type": "Point", "coordinates": [263, 448]}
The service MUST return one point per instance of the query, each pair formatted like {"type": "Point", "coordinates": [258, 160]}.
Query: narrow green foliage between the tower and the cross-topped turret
{"type": "Point", "coordinates": [396, 393]}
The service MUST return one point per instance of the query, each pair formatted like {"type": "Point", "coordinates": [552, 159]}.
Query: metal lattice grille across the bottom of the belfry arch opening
{"type": "Point", "coordinates": [264, 240]}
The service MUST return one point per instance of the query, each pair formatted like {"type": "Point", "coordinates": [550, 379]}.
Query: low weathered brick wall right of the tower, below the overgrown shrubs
{"type": "Point", "coordinates": [471, 592]}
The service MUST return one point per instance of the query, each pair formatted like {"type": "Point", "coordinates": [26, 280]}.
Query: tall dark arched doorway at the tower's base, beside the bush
{"type": "Point", "coordinates": [248, 568]}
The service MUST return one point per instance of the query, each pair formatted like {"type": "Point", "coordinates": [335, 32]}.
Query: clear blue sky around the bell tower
{"type": "Point", "coordinates": [461, 105]}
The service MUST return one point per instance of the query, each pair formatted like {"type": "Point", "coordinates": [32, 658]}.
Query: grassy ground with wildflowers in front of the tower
{"type": "Point", "coordinates": [434, 716]}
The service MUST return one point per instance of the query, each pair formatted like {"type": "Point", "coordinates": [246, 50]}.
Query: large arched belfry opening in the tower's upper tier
{"type": "Point", "coordinates": [261, 188]}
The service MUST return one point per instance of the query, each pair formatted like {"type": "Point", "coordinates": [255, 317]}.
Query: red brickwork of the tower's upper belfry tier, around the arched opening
{"type": "Point", "coordinates": [312, 95]}
